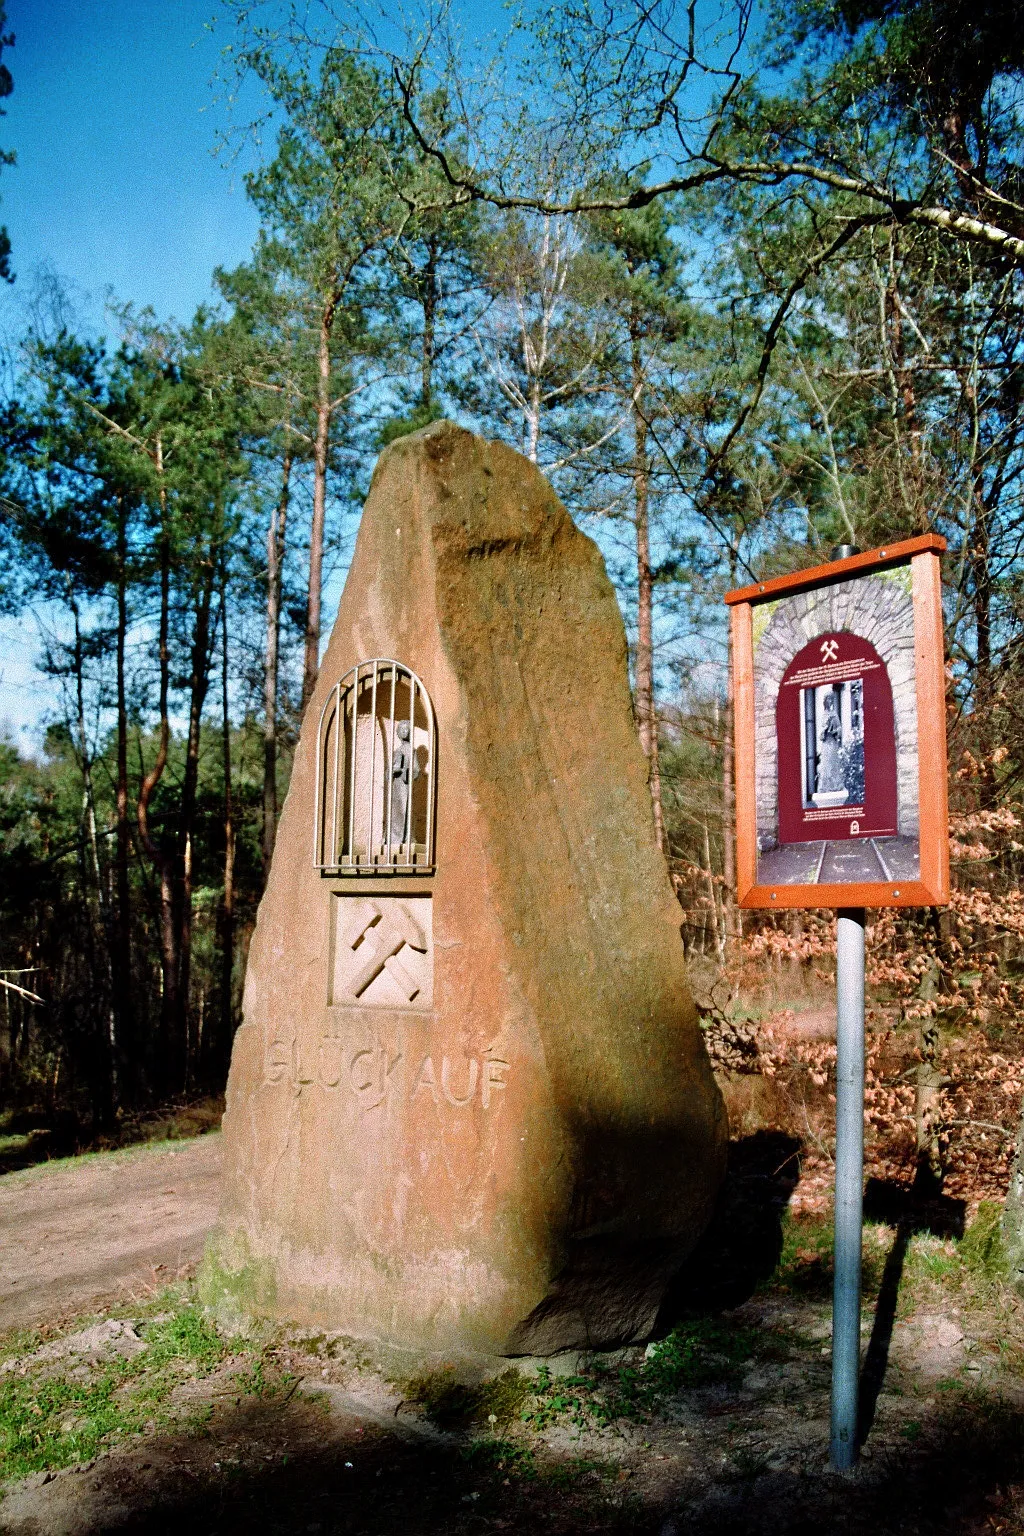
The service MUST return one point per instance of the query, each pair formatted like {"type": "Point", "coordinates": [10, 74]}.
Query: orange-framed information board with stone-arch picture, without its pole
{"type": "Point", "coordinates": [841, 733]}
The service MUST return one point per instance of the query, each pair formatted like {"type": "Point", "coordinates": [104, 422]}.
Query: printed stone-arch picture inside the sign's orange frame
{"type": "Point", "coordinates": [837, 733]}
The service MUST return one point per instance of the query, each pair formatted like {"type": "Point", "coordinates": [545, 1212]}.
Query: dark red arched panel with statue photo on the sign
{"type": "Point", "coordinates": [837, 747]}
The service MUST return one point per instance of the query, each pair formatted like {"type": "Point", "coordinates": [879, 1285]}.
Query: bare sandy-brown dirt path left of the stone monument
{"type": "Point", "coordinates": [90, 1231]}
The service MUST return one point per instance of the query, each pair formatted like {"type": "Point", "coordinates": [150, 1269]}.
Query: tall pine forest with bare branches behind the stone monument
{"type": "Point", "coordinates": [745, 285]}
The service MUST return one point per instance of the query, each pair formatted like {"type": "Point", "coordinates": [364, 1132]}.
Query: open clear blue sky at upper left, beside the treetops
{"type": "Point", "coordinates": [116, 187]}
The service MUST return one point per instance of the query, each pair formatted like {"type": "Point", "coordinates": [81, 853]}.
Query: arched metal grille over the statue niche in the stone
{"type": "Point", "coordinates": [375, 775]}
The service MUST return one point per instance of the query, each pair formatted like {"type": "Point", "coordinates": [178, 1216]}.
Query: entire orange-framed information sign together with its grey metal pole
{"type": "Point", "coordinates": [834, 737]}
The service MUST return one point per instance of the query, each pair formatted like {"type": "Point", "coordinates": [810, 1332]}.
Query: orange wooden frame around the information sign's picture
{"type": "Point", "coordinates": [933, 887]}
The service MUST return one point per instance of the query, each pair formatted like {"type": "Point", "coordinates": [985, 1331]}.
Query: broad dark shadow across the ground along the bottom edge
{"type": "Point", "coordinates": [277, 1469]}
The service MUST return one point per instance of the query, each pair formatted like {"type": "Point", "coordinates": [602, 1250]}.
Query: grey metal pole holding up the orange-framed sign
{"type": "Point", "coordinates": [850, 1182]}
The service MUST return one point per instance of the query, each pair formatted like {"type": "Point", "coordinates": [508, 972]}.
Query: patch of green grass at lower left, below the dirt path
{"type": "Point", "coordinates": [51, 1420]}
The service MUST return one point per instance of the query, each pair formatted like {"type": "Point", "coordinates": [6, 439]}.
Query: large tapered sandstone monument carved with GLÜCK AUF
{"type": "Point", "coordinates": [469, 1105]}
